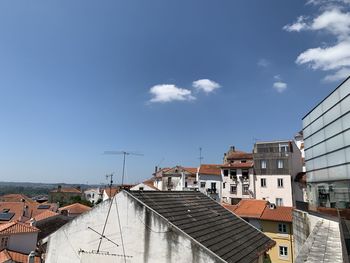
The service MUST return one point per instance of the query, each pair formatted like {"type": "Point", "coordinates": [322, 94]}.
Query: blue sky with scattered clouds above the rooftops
{"type": "Point", "coordinates": [158, 77]}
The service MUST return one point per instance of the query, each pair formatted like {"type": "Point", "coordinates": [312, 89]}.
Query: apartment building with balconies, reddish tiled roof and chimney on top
{"type": "Point", "coordinates": [238, 181]}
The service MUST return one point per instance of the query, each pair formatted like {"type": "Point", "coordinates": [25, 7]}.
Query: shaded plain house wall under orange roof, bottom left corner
{"type": "Point", "coordinates": [24, 243]}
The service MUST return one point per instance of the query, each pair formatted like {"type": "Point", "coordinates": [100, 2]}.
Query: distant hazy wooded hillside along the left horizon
{"type": "Point", "coordinates": [33, 189]}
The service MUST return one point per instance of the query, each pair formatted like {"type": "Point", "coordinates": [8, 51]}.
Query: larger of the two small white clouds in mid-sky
{"type": "Point", "coordinates": [169, 92]}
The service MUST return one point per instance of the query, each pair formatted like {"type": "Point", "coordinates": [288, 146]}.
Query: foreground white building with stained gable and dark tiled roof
{"type": "Point", "coordinates": [168, 226]}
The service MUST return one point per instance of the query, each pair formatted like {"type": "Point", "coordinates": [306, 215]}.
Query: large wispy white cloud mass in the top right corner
{"type": "Point", "coordinates": [335, 57]}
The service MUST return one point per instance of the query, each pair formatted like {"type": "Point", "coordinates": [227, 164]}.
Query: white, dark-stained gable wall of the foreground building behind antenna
{"type": "Point", "coordinates": [147, 237]}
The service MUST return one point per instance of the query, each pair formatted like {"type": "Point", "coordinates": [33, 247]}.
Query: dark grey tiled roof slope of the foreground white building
{"type": "Point", "coordinates": [206, 221]}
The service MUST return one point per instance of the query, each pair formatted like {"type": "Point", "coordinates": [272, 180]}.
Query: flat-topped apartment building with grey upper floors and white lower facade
{"type": "Point", "coordinates": [276, 163]}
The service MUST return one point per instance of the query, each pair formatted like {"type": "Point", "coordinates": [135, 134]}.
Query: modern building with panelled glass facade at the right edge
{"type": "Point", "coordinates": [326, 130]}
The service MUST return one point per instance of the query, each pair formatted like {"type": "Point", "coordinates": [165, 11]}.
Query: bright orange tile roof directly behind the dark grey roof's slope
{"type": "Point", "coordinates": [248, 208]}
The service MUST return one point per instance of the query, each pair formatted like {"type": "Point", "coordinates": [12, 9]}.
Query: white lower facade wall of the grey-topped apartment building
{"type": "Point", "coordinates": [271, 191]}
